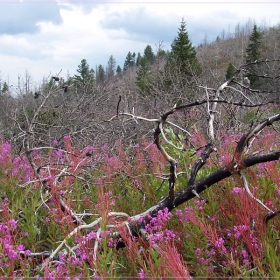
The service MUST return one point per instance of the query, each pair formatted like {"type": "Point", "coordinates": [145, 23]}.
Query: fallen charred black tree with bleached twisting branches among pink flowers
{"type": "Point", "coordinates": [135, 225]}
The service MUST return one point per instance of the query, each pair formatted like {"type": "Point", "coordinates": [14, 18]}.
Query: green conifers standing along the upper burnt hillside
{"type": "Point", "coordinates": [182, 59]}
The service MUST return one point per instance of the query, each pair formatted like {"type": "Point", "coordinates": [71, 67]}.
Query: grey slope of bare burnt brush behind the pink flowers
{"type": "Point", "coordinates": [82, 111]}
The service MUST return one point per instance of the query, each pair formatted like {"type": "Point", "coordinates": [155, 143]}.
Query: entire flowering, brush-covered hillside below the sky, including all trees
{"type": "Point", "coordinates": [166, 169]}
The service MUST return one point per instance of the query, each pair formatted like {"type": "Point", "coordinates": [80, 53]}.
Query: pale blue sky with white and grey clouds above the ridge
{"type": "Point", "coordinates": [43, 37]}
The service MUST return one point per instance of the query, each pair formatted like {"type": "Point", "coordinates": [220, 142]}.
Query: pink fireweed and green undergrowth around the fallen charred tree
{"type": "Point", "coordinates": [222, 234]}
